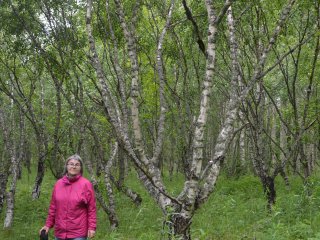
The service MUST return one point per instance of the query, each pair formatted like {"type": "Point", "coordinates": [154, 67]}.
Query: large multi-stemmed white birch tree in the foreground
{"type": "Point", "coordinates": [199, 184]}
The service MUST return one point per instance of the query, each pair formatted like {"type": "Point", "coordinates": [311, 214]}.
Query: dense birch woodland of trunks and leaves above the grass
{"type": "Point", "coordinates": [189, 88]}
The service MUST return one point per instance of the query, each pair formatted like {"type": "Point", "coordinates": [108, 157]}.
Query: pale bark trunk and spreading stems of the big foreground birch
{"type": "Point", "coordinates": [192, 193]}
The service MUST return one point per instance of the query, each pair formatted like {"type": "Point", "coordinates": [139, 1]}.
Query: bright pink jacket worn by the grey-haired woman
{"type": "Point", "coordinates": [72, 209]}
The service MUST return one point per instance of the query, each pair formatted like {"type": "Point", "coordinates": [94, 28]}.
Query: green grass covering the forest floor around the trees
{"type": "Point", "coordinates": [236, 210]}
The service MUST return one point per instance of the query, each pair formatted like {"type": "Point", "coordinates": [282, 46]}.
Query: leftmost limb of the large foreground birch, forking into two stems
{"type": "Point", "coordinates": [136, 150]}
